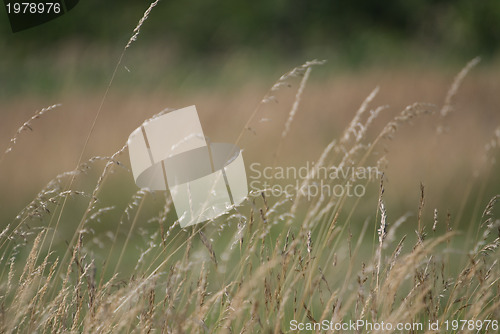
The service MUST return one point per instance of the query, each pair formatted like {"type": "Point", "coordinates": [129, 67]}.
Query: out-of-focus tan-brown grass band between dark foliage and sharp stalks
{"type": "Point", "coordinates": [225, 98]}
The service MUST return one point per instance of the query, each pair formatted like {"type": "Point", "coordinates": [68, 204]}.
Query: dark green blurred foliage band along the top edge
{"type": "Point", "coordinates": [355, 29]}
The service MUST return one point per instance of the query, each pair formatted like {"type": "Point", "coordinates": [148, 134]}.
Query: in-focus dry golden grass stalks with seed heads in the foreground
{"type": "Point", "coordinates": [271, 261]}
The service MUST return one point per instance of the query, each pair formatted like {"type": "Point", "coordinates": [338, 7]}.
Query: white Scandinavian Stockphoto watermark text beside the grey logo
{"type": "Point", "coordinates": [311, 180]}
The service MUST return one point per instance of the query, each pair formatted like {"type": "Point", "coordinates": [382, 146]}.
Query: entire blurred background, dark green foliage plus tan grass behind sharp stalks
{"type": "Point", "coordinates": [224, 56]}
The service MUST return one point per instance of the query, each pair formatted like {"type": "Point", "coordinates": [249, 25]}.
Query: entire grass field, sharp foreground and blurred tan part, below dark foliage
{"type": "Point", "coordinates": [83, 250]}
